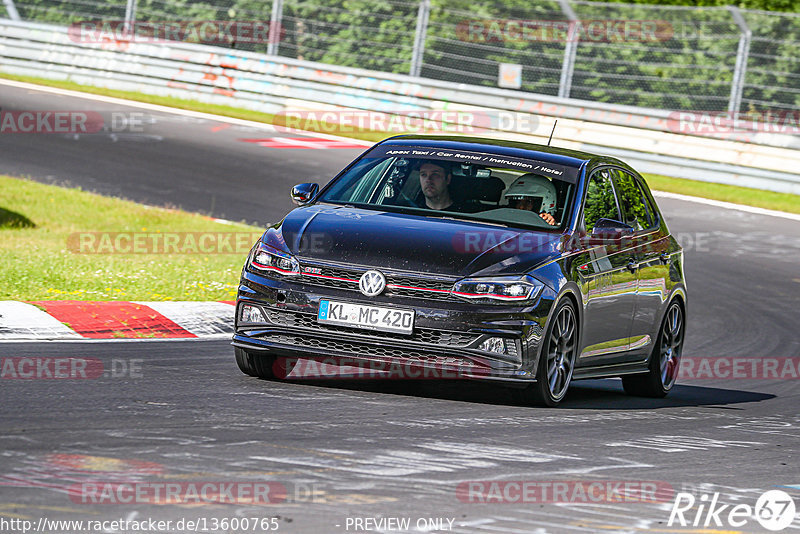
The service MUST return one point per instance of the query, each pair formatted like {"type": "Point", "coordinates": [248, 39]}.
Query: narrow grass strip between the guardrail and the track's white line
{"type": "Point", "coordinates": [738, 195]}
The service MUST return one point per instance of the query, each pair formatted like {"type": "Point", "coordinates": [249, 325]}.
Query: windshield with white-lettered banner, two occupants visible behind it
{"type": "Point", "coordinates": [472, 185]}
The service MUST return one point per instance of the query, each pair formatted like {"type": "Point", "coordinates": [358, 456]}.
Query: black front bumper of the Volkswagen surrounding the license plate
{"type": "Point", "coordinates": [446, 337]}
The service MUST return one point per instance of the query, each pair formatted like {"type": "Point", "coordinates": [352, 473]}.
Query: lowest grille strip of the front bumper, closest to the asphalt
{"type": "Point", "coordinates": [402, 356]}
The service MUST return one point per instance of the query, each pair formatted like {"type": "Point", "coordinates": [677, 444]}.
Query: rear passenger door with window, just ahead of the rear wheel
{"type": "Point", "coordinates": [650, 244]}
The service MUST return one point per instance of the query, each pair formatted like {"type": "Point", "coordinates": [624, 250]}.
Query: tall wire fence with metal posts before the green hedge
{"type": "Point", "coordinates": [665, 57]}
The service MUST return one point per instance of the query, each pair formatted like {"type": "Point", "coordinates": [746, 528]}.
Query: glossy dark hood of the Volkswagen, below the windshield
{"type": "Point", "coordinates": [407, 242]}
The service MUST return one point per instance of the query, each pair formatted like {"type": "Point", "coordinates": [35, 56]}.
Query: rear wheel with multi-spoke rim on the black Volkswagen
{"type": "Point", "coordinates": [665, 359]}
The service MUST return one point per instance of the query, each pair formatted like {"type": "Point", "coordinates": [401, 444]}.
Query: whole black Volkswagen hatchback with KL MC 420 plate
{"type": "Point", "coordinates": [493, 259]}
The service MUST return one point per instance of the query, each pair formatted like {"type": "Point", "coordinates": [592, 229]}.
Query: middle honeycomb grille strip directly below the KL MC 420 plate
{"type": "Point", "coordinates": [421, 335]}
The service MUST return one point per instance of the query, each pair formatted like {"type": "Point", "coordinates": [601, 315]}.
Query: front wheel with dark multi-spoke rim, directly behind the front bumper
{"type": "Point", "coordinates": [556, 361]}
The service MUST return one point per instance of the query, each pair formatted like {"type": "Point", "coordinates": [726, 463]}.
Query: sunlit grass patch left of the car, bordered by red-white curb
{"type": "Point", "coordinates": [41, 262]}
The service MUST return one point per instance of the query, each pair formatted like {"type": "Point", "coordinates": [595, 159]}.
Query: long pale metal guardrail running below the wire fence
{"type": "Point", "coordinates": [275, 84]}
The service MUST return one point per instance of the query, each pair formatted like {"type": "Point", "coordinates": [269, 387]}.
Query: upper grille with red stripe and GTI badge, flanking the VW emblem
{"type": "Point", "coordinates": [343, 278]}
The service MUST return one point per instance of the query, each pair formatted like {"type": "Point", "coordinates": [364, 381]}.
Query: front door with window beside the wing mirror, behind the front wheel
{"type": "Point", "coordinates": [607, 283]}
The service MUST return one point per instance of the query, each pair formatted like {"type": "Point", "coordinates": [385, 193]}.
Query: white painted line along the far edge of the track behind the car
{"type": "Point", "coordinates": [269, 127]}
